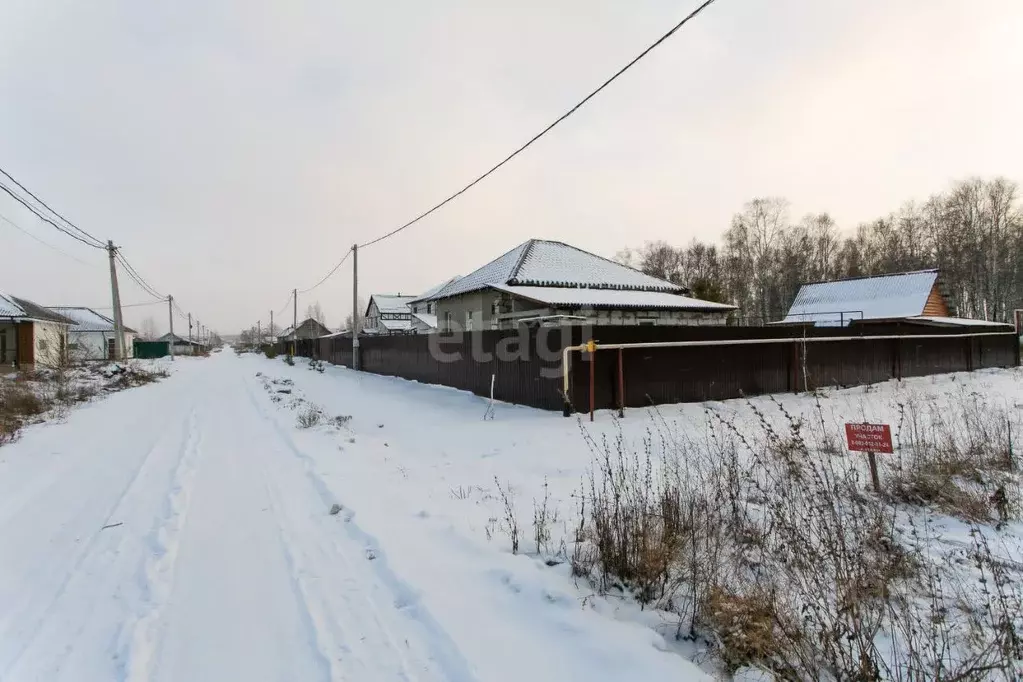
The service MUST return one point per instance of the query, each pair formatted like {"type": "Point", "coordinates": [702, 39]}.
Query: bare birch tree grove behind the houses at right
{"type": "Point", "coordinates": [973, 234]}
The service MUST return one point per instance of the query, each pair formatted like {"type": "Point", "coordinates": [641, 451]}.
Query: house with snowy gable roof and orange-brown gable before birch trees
{"type": "Point", "coordinates": [901, 296]}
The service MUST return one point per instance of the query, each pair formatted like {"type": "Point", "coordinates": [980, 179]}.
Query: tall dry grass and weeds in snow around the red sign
{"type": "Point", "coordinates": [770, 547]}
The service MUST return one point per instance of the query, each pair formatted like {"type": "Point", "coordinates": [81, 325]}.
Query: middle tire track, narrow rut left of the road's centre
{"type": "Point", "coordinates": [158, 571]}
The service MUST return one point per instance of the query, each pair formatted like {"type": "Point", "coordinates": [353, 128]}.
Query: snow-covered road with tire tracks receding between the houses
{"type": "Point", "coordinates": [220, 560]}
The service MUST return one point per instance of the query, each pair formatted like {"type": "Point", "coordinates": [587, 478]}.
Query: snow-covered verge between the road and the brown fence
{"type": "Point", "coordinates": [426, 473]}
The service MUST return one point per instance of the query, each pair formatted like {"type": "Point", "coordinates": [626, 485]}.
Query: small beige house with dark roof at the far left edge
{"type": "Point", "coordinates": [31, 335]}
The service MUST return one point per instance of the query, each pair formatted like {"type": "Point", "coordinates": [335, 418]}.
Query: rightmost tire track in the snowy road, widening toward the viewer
{"type": "Point", "coordinates": [425, 654]}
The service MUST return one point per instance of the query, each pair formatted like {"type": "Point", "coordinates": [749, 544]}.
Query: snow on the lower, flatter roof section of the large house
{"type": "Point", "coordinates": [616, 299]}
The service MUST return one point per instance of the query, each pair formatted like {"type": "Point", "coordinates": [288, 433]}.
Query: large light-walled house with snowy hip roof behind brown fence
{"type": "Point", "coordinates": [551, 283]}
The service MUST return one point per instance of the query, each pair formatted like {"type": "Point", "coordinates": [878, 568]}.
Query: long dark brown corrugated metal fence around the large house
{"type": "Point", "coordinates": [525, 365]}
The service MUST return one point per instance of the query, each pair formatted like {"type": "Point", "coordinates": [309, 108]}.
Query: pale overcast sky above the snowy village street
{"type": "Point", "coordinates": [237, 149]}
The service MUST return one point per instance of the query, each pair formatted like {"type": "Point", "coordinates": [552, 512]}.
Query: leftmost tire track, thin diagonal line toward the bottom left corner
{"type": "Point", "coordinates": [91, 553]}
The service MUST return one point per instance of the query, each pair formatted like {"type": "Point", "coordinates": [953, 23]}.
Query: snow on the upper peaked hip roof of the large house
{"type": "Point", "coordinates": [544, 263]}
